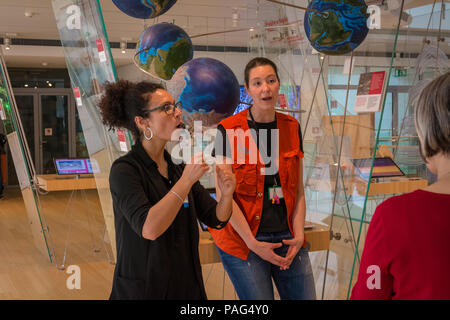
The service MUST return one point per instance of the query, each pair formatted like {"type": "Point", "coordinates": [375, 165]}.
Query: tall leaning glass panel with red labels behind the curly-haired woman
{"type": "Point", "coordinates": [89, 42]}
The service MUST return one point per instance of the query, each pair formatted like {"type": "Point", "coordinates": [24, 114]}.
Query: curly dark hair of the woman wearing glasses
{"type": "Point", "coordinates": [122, 101]}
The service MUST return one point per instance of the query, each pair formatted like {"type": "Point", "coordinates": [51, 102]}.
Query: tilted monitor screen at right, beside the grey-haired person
{"type": "Point", "coordinates": [382, 168]}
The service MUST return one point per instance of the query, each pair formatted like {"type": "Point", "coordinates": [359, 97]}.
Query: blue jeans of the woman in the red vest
{"type": "Point", "coordinates": [252, 278]}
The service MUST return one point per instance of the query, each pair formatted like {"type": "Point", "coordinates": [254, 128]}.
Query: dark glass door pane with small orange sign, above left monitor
{"type": "Point", "coordinates": [55, 132]}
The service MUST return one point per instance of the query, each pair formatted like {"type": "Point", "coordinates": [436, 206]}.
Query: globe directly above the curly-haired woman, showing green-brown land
{"type": "Point", "coordinates": [162, 49]}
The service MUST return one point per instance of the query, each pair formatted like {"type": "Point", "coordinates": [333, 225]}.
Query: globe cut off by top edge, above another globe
{"type": "Point", "coordinates": [144, 9]}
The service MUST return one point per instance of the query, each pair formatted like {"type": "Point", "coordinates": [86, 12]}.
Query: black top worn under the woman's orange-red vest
{"type": "Point", "coordinates": [274, 216]}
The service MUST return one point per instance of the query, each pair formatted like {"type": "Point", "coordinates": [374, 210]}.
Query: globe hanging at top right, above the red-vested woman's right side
{"type": "Point", "coordinates": [341, 29]}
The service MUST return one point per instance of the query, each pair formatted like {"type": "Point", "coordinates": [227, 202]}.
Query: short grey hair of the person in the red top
{"type": "Point", "coordinates": [432, 117]}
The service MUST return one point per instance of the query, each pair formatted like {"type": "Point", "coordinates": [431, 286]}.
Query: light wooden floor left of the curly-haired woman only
{"type": "Point", "coordinates": [25, 273]}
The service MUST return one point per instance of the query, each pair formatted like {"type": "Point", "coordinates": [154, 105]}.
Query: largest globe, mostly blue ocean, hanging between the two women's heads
{"type": "Point", "coordinates": [208, 90]}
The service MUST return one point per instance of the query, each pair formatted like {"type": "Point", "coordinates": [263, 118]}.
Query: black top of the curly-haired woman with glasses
{"type": "Point", "coordinates": [168, 267]}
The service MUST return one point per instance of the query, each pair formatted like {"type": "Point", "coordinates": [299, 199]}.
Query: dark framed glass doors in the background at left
{"type": "Point", "coordinates": [49, 122]}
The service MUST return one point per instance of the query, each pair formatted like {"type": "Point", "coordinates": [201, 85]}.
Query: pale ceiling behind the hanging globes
{"type": "Point", "coordinates": [34, 19]}
